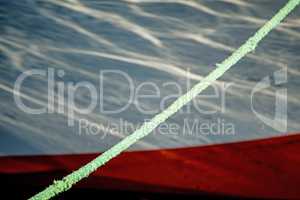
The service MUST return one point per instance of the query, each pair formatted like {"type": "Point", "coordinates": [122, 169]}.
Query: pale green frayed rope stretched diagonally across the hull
{"type": "Point", "coordinates": [83, 172]}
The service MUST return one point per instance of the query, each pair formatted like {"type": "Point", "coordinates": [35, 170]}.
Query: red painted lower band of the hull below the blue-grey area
{"type": "Point", "coordinates": [266, 168]}
